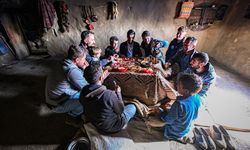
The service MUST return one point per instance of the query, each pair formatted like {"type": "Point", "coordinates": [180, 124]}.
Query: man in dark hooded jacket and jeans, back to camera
{"type": "Point", "coordinates": [103, 107]}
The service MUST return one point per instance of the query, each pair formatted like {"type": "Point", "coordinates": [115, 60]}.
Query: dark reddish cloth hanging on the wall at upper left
{"type": "Point", "coordinates": [47, 13]}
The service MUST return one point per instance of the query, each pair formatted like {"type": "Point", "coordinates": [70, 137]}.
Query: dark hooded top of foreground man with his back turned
{"type": "Point", "coordinates": [103, 108]}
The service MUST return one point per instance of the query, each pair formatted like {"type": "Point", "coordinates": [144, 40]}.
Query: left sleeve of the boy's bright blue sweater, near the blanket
{"type": "Point", "coordinates": [172, 115]}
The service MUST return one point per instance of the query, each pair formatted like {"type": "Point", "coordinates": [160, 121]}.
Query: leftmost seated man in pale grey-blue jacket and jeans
{"type": "Point", "coordinates": [64, 83]}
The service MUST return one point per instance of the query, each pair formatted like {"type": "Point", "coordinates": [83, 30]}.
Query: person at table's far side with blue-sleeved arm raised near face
{"type": "Point", "coordinates": [151, 47]}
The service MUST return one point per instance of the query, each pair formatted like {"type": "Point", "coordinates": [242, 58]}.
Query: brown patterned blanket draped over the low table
{"type": "Point", "coordinates": [148, 88]}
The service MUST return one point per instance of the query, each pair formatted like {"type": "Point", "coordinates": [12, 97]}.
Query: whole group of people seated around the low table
{"type": "Point", "coordinates": [76, 87]}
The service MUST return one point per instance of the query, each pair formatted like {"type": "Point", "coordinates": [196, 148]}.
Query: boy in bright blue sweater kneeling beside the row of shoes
{"type": "Point", "coordinates": [184, 111]}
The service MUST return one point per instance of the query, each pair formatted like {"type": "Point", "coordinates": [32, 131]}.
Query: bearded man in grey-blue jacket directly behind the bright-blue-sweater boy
{"type": "Point", "coordinates": [201, 66]}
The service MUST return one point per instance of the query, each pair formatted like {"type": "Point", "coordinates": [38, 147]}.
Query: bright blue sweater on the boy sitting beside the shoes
{"type": "Point", "coordinates": [180, 117]}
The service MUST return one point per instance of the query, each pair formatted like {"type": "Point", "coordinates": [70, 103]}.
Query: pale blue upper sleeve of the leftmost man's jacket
{"type": "Point", "coordinates": [76, 78]}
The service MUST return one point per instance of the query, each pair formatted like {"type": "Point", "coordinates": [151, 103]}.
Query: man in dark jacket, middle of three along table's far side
{"type": "Point", "coordinates": [130, 48]}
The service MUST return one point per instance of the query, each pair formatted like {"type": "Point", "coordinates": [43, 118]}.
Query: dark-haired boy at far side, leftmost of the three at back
{"type": "Point", "coordinates": [113, 48]}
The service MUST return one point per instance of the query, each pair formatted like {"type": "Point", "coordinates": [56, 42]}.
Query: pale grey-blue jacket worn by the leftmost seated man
{"type": "Point", "coordinates": [65, 81]}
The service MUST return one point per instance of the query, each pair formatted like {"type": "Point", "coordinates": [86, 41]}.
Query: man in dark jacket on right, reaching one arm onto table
{"type": "Point", "coordinates": [182, 58]}
